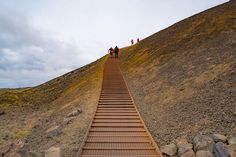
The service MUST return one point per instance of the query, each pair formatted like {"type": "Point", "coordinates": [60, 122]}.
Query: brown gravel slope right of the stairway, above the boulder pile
{"type": "Point", "coordinates": [183, 78]}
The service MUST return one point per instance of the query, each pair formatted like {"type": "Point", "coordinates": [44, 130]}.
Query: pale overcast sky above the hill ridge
{"type": "Point", "coordinates": [43, 39]}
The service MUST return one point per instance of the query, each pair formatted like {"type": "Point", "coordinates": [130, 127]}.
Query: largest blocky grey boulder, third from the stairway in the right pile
{"type": "Point", "coordinates": [203, 142]}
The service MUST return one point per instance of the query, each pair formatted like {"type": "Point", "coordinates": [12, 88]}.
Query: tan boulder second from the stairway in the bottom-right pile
{"type": "Point", "coordinates": [184, 147]}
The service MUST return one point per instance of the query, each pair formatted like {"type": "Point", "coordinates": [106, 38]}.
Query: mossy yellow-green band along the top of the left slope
{"type": "Point", "coordinates": [48, 92]}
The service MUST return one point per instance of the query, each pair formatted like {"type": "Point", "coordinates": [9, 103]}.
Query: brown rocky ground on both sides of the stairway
{"type": "Point", "coordinates": [183, 80]}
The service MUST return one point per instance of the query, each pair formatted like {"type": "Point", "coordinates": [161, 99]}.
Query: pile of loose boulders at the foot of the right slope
{"type": "Point", "coordinates": [216, 145]}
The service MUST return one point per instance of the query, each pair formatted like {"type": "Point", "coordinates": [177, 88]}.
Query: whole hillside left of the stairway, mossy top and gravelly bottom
{"type": "Point", "coordinates": [30, 112]}
